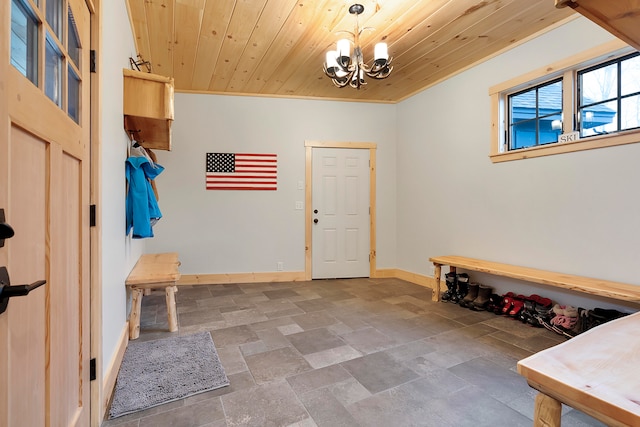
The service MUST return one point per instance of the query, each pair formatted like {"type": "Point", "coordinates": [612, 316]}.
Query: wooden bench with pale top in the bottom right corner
{"type": "Point", "coordinates": [595, 372]}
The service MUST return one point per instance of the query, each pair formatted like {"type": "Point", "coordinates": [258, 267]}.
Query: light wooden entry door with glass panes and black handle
{"type": "Point", "coordinates": [44, 191]}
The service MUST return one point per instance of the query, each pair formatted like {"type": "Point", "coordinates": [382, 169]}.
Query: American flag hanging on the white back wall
{"type": "Point", "coordinates": [242, 171]}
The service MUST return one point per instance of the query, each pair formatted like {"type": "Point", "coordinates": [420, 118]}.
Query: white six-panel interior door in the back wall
{"type": "Point", "coordinates": [340, 212]}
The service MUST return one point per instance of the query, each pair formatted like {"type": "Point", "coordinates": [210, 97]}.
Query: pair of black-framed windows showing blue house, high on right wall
{"type": "Point", "coordinates": [605, 101]}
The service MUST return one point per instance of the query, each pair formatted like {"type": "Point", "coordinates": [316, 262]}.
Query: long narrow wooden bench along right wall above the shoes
{"type": "Point", "coordinates": [598, 287]}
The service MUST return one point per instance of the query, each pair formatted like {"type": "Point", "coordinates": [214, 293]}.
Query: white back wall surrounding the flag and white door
{"type": "Point", "coordinates": [250, 231]}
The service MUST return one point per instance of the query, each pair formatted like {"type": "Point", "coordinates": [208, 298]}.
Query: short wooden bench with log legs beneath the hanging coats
{"type": "Point", "coordinates": [153, 271]}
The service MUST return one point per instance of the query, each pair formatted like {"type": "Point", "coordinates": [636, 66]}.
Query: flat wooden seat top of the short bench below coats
{"type": "Point", "coordinates": [155, 268]}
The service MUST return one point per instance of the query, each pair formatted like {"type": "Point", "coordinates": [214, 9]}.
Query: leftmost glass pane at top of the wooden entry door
{"type": "Point", "coordinates": [24, 41]}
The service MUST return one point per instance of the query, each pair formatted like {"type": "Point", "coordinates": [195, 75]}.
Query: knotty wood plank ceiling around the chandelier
{"type": "Point", "coordinates": [277, 47]}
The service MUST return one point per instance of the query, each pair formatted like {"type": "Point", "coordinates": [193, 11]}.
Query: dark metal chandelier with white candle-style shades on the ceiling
{"type": "Point", "coordinates": [343, 68]}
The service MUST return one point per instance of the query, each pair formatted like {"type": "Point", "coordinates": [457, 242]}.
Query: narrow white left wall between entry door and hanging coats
{"type": "Point", "coordinates": [119, 253]}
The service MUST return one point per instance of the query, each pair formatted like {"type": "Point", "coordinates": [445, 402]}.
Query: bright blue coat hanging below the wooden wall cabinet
{"type": "Point", "coordinates": [141, 204]}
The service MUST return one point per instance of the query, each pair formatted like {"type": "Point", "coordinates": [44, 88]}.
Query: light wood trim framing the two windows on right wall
{"type": "Point", "coordinates": [568, 70]}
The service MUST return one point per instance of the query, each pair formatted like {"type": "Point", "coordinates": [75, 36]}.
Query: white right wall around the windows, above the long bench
{"type": "Point", "coordinates": [573, 213]}
